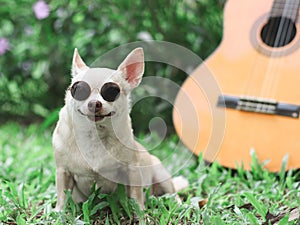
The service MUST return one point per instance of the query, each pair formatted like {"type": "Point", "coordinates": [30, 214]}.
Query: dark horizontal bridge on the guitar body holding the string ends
{"type": "Point", "coordinates": [259, 105]}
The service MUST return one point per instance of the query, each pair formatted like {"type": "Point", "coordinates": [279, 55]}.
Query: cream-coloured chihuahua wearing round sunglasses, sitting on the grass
{"type": "Point", "coordinates": [93, 140]}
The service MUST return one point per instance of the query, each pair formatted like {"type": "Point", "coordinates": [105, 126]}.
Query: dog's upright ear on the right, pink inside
{"type": "Point", "coordinates": [132, 68]}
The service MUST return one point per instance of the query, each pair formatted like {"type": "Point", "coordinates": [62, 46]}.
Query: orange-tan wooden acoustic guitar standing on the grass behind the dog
{"type": "Point", "coordinates": [256, 105]}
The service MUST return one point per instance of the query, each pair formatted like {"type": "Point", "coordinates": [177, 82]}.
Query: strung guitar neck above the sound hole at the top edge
{"type": "Point", "coordinates": [285, 8]}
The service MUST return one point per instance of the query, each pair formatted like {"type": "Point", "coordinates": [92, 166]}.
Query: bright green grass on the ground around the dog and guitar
{"type": "Point", "coordinates": [27, 189]}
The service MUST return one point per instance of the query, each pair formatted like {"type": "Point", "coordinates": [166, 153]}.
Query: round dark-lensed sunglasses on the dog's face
{"type": "Point", "coordinates": [80, 91]}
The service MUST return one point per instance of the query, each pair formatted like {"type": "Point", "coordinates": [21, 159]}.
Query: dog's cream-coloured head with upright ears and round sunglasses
{"type": "Point", "coordinates": [98, 94]}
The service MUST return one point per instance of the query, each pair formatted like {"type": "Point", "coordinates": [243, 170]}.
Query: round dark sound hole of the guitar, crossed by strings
{"type": "Point", "coordinates": [278, 32]}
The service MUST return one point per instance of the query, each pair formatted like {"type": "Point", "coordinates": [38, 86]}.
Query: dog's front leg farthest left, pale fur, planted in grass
{"type": "Point", "coordinates": [64, 181]}
